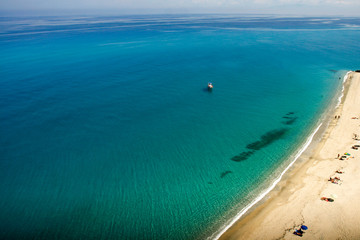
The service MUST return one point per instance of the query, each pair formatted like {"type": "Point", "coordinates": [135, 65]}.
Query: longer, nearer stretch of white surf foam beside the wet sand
{"type": "Point", "coordinates": [263, 194]}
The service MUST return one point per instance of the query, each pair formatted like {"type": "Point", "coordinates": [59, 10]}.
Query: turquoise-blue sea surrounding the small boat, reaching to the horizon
{"type": "Point", "coordinates": [108, 130]}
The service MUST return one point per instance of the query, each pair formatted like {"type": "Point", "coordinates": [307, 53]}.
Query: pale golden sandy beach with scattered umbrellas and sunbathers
{"type": "Point", "coordinates": [297, 199]}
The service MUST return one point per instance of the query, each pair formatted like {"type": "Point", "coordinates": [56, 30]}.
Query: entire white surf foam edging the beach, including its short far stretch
{"type": "Point", "coordinates": [265, 192]}
